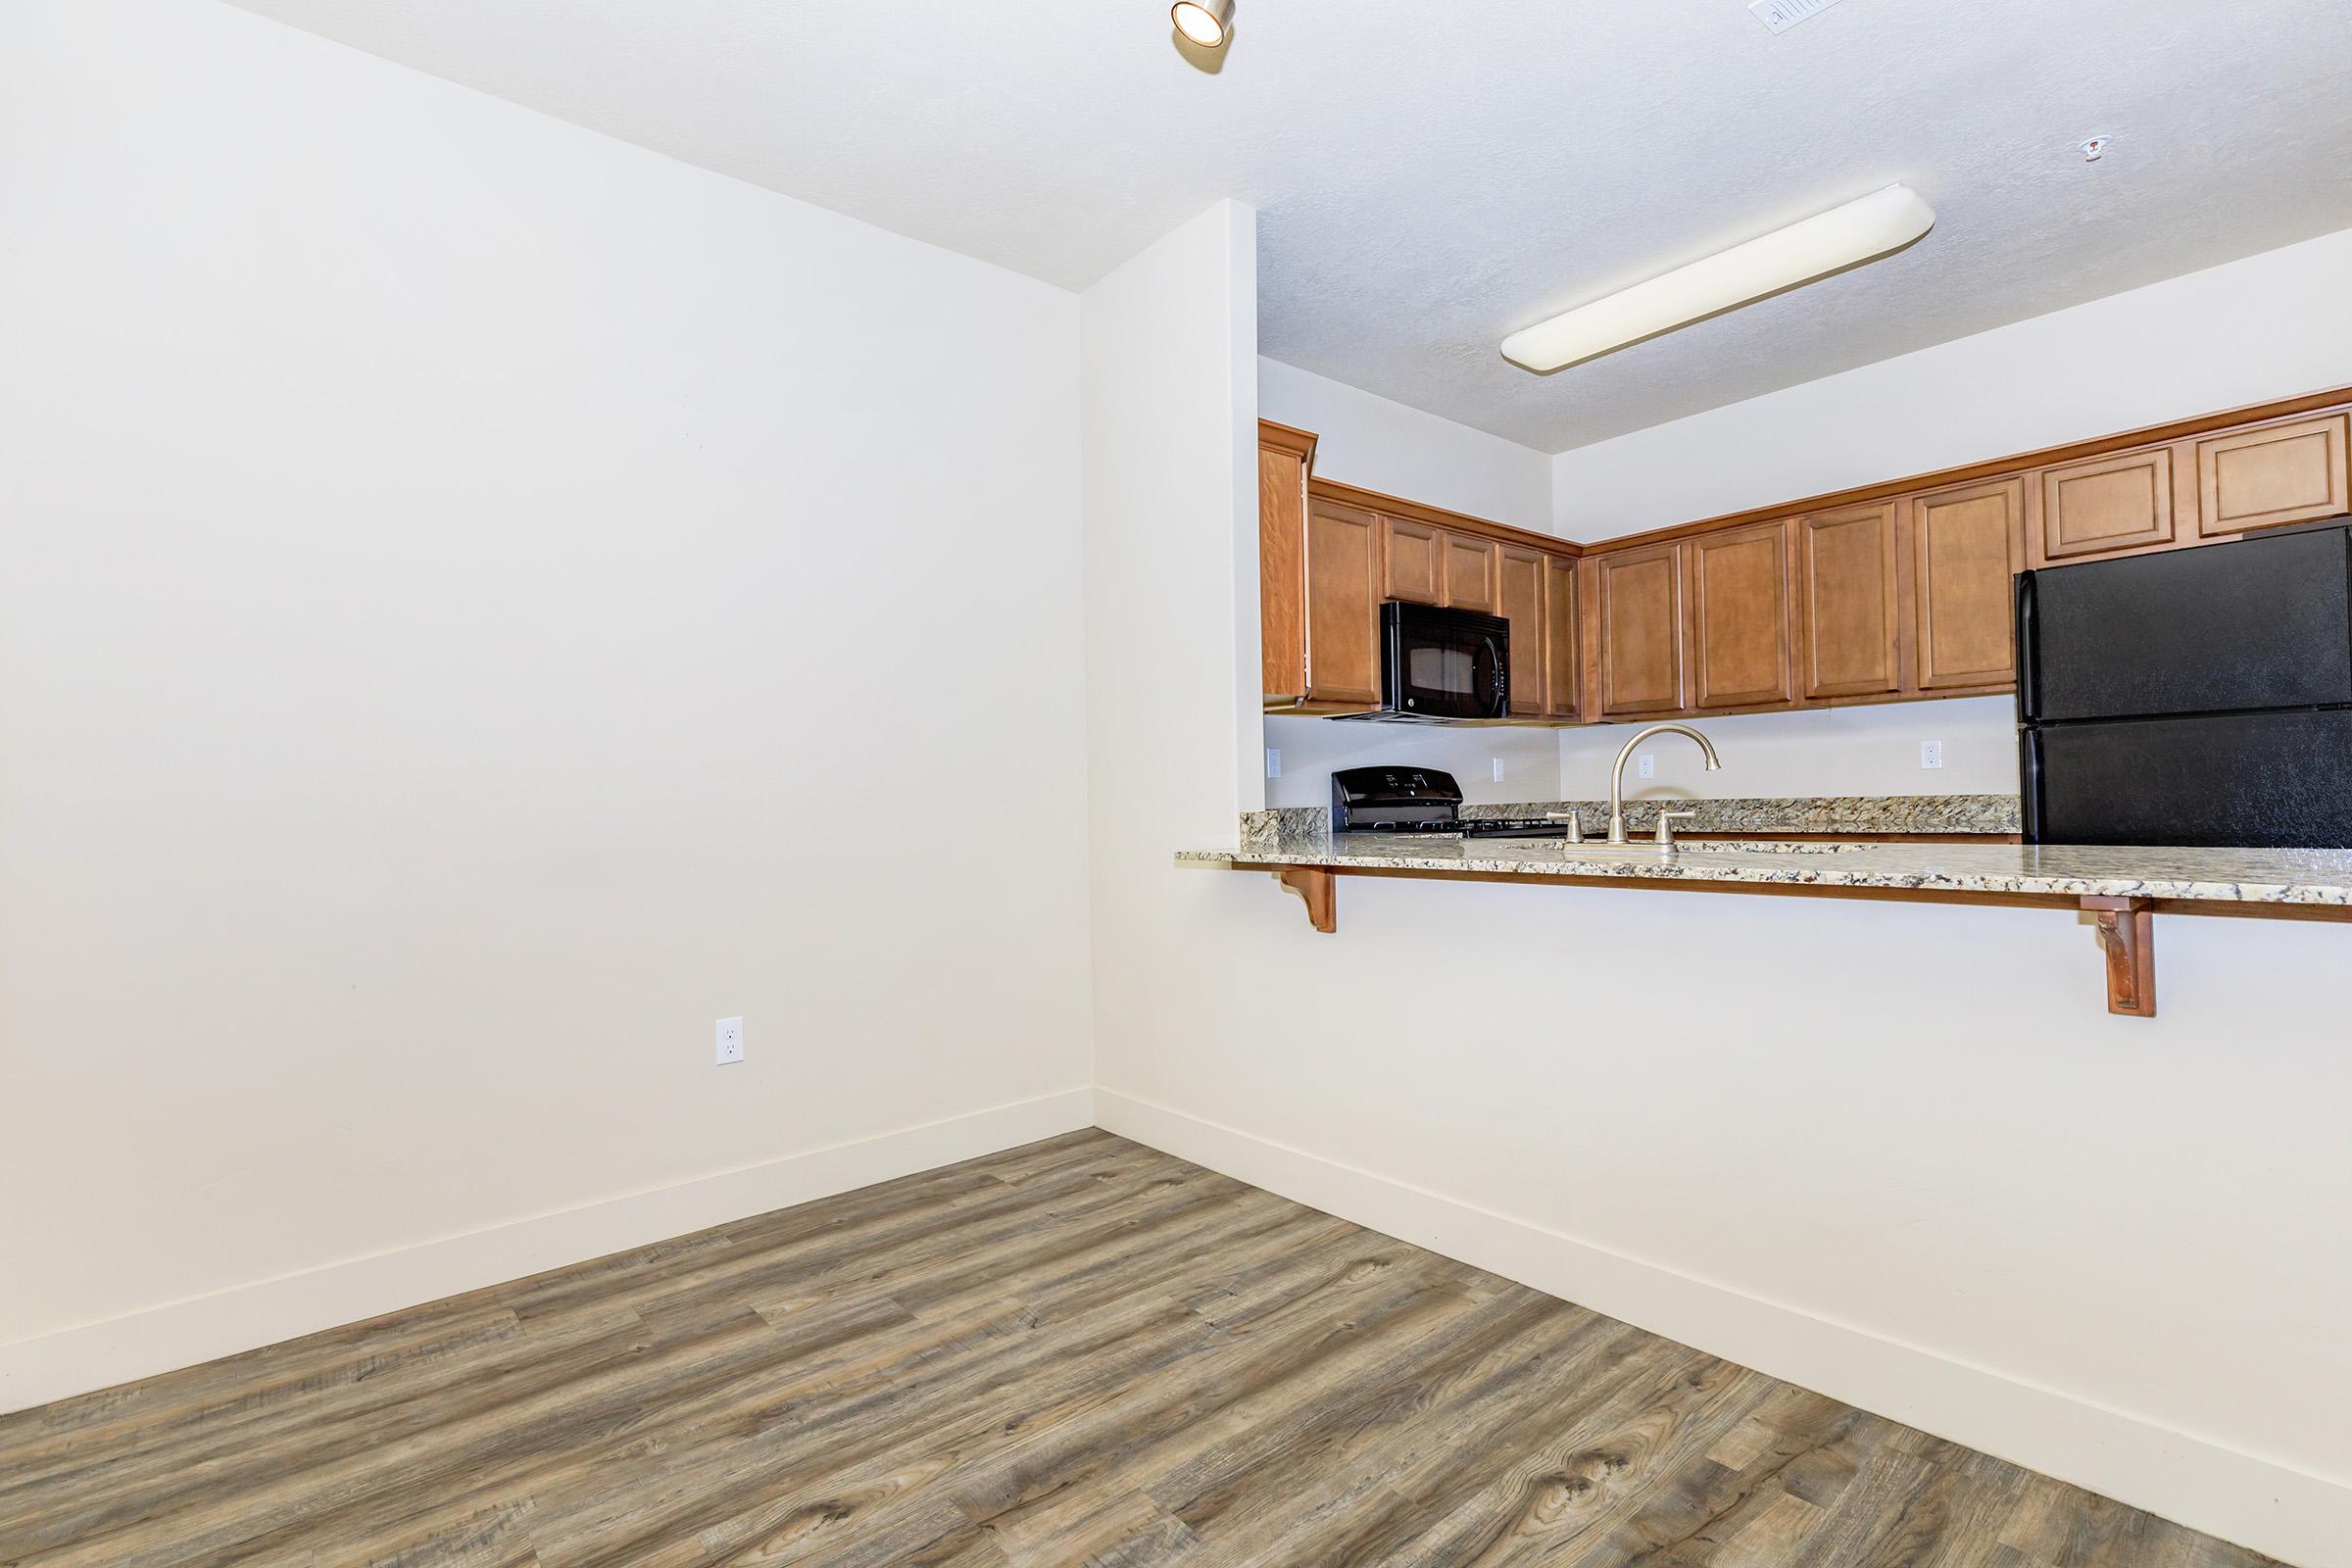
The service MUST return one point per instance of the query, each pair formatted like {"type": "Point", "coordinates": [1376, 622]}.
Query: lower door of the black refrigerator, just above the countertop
{"type": "Point", "coordinates": [2264, 779]}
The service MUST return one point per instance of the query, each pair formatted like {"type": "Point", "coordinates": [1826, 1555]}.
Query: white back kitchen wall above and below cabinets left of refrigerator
{"type": "Point", "coordinates": [2254, 330]}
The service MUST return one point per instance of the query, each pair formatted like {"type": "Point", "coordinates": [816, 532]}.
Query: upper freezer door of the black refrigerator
{"type": "Point", "coordinates": [2257, 624]}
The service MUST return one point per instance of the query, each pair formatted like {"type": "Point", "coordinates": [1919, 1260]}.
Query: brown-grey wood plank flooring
{"type": "Point", "coordinates": [1074, 1353]}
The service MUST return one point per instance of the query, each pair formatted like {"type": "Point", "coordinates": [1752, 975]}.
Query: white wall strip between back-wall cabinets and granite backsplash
{"type": "Point", "coordinates": [1831, 751]}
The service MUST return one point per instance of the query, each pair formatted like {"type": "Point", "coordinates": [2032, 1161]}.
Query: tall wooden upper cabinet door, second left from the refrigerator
{"type": "Point", "coordinates": [1850, 601]}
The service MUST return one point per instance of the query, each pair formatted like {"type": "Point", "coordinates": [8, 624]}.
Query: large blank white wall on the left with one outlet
{"type": "Point", "coordinates": [432, 542]}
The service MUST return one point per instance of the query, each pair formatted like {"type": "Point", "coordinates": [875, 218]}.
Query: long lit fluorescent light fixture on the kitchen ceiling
{"type": "Point", "coordinates": [1871, 227]}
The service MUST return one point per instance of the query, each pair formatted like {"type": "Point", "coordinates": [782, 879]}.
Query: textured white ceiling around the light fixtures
{"type": "Point", "coordinates": [1438, 175]}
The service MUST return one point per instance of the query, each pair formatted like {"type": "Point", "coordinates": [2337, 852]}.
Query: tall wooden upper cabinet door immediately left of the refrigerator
{"type": "Point", "coordinates": [1967, 549]}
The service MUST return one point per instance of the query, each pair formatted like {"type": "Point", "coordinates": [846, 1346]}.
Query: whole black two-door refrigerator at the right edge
{"type": "Point", "coordinates": [2191, 697]}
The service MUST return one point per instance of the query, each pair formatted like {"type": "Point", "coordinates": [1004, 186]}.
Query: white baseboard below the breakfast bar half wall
{"type": "Point", "coordinates": [2198, 1482]}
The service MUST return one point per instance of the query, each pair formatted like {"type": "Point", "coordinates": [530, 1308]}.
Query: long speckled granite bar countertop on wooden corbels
{"type": "Point", "coordinates": [2214, 876]}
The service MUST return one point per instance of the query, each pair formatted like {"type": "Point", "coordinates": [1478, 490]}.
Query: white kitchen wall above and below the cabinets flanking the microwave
{"type": "Point", "coordinates": [1403, 453]}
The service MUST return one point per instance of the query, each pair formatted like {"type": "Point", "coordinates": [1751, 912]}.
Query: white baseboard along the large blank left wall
{"type": "Point", "coordinates": [265, 1313]}
